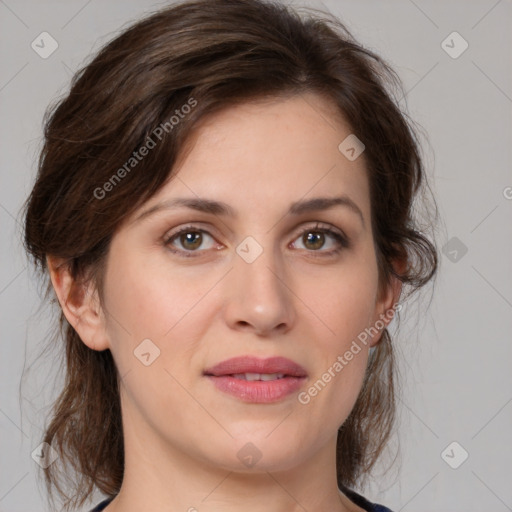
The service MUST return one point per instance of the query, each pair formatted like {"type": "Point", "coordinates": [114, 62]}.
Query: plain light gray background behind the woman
{"type": "Point", "coordinates": [455, 356]}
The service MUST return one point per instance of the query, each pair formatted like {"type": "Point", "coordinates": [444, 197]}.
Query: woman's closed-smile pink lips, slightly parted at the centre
{"type": "Point", "coordinates": [254, 380]}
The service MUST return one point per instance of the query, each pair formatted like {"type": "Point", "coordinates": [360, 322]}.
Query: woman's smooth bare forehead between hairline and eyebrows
{"type": "Point", "coordinates": [267, 154]}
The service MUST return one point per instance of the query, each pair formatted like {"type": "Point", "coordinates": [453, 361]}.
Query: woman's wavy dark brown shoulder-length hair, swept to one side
{"type": "Point", "coordinates": [210, 55]}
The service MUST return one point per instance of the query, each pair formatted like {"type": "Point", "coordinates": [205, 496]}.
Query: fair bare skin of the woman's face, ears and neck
{"type": "Point", "coordinates": [182, 435]}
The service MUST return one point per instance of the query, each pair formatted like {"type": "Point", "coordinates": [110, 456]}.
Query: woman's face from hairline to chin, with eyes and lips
{"type": "Point", "coordinates": [253, 275]}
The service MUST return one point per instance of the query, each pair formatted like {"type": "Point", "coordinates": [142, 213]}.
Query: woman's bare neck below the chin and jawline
{"type": "Point", "coordinates": [161, 476]}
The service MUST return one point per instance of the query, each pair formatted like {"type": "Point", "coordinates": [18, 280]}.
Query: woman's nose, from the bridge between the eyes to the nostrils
{"type": "Point", "coordinates": [258, 296]}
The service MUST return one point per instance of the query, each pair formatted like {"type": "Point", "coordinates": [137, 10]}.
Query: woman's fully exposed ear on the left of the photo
{"type": "Point", "coordinates": [80, 305]}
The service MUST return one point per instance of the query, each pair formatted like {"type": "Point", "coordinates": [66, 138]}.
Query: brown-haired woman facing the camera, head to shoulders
{"type": "Point", "coordinates": [224, 209]}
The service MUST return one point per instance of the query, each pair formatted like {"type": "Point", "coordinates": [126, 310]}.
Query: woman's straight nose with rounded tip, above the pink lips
{"type": "Point", "coordinates": [258, 297]}
